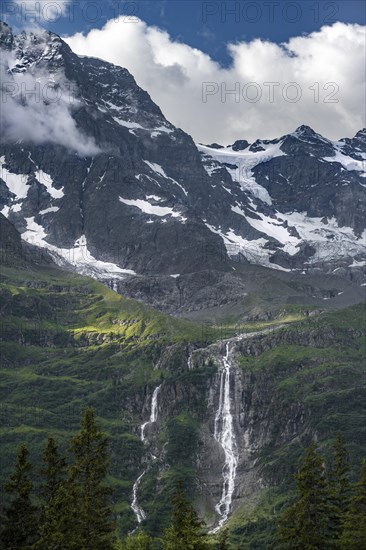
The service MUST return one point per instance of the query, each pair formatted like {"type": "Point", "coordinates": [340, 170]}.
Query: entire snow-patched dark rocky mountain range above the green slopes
{"type": "Point", "coordinates": [92, 171]}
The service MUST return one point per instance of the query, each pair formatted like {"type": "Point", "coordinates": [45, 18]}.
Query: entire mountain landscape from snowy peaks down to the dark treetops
{"type": "Point", "coordinates": [207, 300]}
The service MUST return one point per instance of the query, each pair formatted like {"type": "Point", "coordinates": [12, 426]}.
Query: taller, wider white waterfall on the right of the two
{"type": "Point", "coordinates": [225, 435]}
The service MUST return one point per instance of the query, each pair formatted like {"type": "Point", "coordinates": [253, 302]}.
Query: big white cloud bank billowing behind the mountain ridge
{"type": "Point", "coordinates": [173, 73]}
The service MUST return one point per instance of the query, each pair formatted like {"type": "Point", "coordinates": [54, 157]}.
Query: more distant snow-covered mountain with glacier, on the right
{"type": "Point", "coordinates": [306, 193]}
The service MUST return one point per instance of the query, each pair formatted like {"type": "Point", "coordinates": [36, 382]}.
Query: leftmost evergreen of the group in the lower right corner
{"type": "Point", "coordinates": [307, 524]}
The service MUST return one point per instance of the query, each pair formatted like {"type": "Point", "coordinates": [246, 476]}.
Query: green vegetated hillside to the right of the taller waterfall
{"type": "Point", "coordinates": [308, 381]}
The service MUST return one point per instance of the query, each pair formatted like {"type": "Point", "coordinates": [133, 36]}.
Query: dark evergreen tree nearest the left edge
{"type": "Point", "coordinates": [20, 521]}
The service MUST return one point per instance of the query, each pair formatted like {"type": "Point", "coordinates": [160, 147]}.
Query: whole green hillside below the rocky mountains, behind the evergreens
{"type": "Point", "coordinates": [68, 341]}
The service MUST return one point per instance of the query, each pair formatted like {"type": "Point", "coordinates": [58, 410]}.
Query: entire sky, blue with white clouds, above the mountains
{"type": "Point", "coordinates": [269, 65]}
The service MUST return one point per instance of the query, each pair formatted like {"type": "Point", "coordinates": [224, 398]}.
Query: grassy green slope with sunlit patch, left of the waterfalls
{"type": "Point", "coordinates": [67, 342]}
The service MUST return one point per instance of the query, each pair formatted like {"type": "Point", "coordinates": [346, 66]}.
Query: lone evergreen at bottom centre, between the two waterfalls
{"type": "Point", "coordinates": [186, 528]}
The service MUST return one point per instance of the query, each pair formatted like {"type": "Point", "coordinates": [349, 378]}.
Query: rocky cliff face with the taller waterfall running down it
{"type": "Point", "coordinates": [266, 416]}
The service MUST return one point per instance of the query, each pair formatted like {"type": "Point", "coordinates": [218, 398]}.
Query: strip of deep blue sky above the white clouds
{"type": "Point", "coordinates": [209, 26]}
